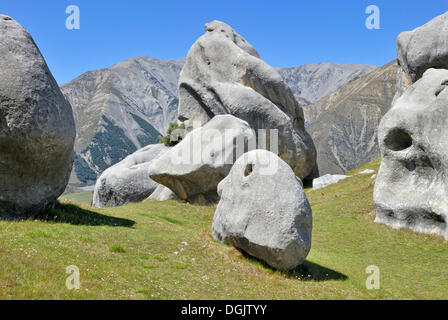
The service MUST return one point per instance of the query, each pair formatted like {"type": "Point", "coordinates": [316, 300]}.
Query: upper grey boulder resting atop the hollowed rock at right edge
{"type": "Point", "coordinates": [420, 49]}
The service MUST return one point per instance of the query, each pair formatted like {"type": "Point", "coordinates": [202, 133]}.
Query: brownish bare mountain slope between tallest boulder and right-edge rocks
{"type": "Point", "coordinates": [344, 124]}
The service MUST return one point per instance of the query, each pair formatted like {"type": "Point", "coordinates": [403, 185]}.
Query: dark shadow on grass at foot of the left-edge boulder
{"type": "Point", "coordinates": [72, 214]}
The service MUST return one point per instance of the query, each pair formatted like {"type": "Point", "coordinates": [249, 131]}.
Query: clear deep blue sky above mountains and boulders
{"type": "Point", "coordinates": [285, 32]}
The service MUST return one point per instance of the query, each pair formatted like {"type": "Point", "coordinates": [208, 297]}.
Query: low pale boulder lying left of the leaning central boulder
{"type": "Point", "coordinates": [127, 181]}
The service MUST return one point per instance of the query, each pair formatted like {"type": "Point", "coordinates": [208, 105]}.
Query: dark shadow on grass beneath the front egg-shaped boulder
{"type": "Point", "coordinates": [308, 271]}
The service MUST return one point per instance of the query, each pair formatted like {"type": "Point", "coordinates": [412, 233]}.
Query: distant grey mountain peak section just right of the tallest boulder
{"type": "Point", "coordinates": [312, 82]}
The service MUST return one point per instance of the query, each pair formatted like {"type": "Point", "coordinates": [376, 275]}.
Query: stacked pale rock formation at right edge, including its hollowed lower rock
{"type": "Point", "coordinates": [411, 187]}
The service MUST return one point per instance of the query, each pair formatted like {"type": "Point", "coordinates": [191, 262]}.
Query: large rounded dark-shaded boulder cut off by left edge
{"type": "Point", "coordinates": [37, 130]}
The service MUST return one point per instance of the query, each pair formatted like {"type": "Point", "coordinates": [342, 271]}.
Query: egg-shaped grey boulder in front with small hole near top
{"type": "Point", "coordinates": [264, 211]}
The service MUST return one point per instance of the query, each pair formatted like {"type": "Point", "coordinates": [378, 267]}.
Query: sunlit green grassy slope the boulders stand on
{"type": "Point", "coordinates": [164, 250]}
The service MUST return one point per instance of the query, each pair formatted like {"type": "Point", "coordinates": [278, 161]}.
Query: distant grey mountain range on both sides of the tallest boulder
{"type": "Point", "coordinates": [129, 105]}
